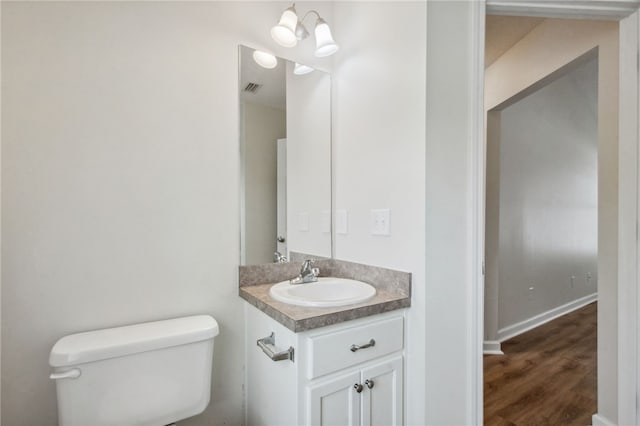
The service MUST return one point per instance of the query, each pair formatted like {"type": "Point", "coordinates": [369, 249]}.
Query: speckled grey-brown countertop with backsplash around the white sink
{"type": "Point", "coordinates": [393, 291]}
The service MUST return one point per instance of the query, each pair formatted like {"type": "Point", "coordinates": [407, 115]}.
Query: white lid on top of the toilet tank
{"type": "Point", "coordinates": [120, 341]}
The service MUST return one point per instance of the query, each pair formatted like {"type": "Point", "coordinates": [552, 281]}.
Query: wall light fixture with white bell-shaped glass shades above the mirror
{"type": "Point", "coordinates": [290, 29]}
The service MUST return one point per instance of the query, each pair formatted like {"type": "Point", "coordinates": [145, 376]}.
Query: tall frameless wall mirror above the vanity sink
{"type": "Point", "coordinates": [285, 142]}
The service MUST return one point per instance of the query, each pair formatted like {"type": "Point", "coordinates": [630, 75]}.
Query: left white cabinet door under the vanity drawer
{"type": "Point", "coordinates": [334, 402]}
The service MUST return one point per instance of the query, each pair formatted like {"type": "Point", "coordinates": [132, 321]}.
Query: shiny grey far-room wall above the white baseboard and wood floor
{"type": "Point", "coordinates": [548, 197]}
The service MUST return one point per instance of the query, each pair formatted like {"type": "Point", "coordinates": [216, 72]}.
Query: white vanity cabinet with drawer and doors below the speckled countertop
{"type": "Point", "coordinates": [345, 374]}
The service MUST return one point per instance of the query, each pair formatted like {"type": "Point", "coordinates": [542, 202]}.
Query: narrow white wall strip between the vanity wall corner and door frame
{"type": "Point", "coordinates": [452, 354]}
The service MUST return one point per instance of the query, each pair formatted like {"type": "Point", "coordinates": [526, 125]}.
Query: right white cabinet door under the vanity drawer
{"type": "Point", "coordinates": [382, 395]}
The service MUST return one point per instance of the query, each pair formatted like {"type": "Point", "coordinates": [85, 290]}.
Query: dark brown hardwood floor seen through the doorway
{"type": "Point", "coordinates": [547, 375]}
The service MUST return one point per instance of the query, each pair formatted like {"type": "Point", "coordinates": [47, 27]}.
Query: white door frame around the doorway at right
{"type": "Point", "coordinates": [626, 12]}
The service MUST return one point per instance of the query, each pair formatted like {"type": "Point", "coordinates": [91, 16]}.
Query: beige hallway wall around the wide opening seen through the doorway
{"type": "Point", "coordinates": [529, 62]}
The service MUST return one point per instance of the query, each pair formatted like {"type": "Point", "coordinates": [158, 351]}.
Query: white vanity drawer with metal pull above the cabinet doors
{"type": "Point", "coordinates": [333, 351]}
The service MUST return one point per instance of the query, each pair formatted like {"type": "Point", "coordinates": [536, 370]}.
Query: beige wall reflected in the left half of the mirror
{"type": "Point", "coordinates": [263, 126]}
